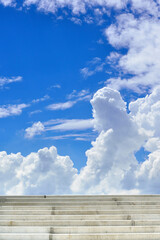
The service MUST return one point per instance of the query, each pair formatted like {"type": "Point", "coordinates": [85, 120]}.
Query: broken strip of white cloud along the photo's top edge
{"type": "Point", "coordinates": [81, 6]}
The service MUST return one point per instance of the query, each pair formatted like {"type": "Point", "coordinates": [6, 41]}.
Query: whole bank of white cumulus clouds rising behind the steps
{"type": "Point", "coordinates": [111, 165]}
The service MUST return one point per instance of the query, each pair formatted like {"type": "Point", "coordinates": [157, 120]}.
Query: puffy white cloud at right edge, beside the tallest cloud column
{"type": "Point", "coordinates": [146, 113]}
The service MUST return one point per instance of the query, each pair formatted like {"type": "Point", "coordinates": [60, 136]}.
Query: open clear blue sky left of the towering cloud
{"type": "Point", "coordinates": [46, 52]}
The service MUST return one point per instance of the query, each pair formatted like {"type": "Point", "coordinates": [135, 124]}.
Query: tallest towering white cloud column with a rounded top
{"type": "Point", "coordinates": [112, 154]}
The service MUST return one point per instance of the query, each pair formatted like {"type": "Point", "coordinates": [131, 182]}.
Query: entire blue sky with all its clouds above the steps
{"type": "Point", "coordinates": [79, 96]}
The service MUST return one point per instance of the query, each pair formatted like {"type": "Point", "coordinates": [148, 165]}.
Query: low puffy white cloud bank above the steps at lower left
{"type": "Point", "coordinates": [43, 172]}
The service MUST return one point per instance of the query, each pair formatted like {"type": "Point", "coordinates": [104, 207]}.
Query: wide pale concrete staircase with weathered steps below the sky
{"type": "Point", "coordinates": [80, 217]}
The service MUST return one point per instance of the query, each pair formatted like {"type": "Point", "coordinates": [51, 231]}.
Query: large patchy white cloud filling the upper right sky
{"type": "Point", "coordinates": [140, 36]}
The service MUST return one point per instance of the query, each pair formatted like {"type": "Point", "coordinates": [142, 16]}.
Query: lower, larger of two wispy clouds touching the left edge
{"type": "Point", "coordinates": [12, 110]}
